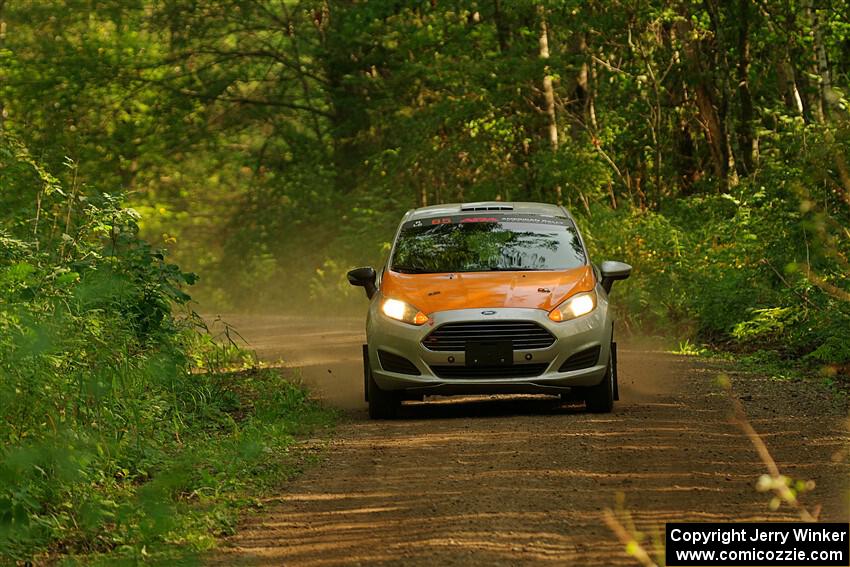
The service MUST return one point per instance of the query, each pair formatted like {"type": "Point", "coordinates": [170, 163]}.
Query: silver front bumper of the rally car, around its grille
{"type": "Point", "coordinates": [571, 337]}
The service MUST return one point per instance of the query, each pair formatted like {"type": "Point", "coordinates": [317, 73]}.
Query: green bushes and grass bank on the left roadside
{"type": "Point", "coordinates": [109, 433]}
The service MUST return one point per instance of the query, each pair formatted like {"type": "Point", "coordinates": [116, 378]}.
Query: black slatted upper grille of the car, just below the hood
{"type": "Point", "coordinates": [524, 335]}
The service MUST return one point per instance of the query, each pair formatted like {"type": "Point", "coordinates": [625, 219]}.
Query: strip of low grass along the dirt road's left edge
{"type": "Point", "coordinates": [195, 489]}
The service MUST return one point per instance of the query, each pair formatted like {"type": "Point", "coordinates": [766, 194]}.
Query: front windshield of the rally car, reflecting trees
{"type": "Point", "coordinates": [485, 244]}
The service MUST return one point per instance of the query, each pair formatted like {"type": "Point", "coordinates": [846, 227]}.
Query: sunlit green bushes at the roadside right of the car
{"type": "Point", "coordinates": [735, 269]}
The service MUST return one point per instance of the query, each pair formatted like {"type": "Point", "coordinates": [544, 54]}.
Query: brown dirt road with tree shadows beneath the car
{"type": "Point", "coordinates": [522, 480]}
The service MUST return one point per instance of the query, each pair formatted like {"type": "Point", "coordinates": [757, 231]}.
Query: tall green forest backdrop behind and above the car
{"type": "Point", "coordinates": [283, 140]}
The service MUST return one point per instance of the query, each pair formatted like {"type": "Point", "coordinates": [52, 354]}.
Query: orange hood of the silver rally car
{"type": "Point", "coordinates": [476, 290]}
